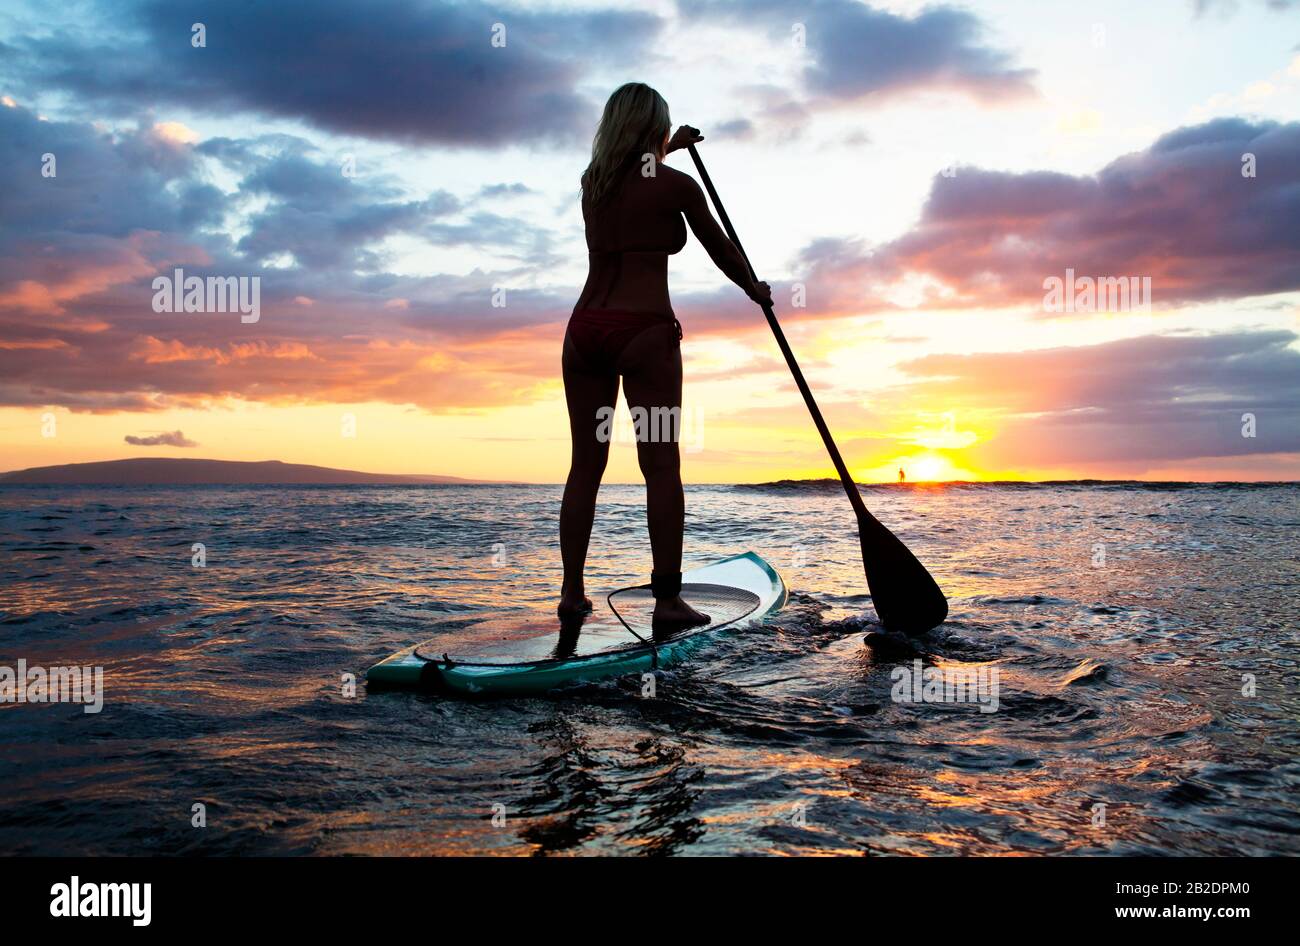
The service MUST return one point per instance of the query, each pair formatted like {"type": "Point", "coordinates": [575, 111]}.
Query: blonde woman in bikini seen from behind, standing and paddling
{"type": "Point", "coordinates": [625, 326]}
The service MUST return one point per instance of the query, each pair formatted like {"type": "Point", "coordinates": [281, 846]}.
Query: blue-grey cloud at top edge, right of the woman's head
{"type": "Point", "coordinates": [860, 53]}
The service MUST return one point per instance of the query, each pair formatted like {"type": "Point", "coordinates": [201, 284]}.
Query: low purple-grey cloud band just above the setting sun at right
{"type": "Point", "coordinates": [1152, 400]}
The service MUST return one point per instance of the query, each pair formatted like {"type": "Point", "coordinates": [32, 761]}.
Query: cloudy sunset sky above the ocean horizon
{"type": "Point", "coordinates": [909, 177]}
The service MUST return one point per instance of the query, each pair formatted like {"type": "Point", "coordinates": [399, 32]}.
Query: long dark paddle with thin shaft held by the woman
{"type": "Point", "coordinates": [905, 596]}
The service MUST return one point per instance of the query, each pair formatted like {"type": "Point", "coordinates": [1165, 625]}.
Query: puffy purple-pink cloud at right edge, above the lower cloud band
{"type": "Point", "coordinates": [1180, 212]}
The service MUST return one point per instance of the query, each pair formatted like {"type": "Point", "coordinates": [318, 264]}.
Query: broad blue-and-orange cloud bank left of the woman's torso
{"type": "Point", "coordinates": [79, 254]}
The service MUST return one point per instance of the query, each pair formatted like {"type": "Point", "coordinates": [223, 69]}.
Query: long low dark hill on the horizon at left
{"type": "Point", "coordinates": [164, 472]}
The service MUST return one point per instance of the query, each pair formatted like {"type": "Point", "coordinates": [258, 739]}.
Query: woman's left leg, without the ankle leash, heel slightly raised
{"type": "Point", "coordinates": [586, 394]}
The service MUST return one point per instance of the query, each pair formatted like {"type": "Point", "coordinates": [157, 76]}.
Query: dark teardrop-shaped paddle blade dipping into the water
{"type": "Point", "coordinates": [905, 596]}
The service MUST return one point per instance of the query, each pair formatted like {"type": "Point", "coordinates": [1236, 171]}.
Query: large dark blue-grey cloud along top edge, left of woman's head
{"type": "Point", "coordinates": [405, 71]}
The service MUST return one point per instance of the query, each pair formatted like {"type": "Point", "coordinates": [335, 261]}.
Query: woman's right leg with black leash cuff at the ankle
{"type": "Point", "coordinates": [652, 383]}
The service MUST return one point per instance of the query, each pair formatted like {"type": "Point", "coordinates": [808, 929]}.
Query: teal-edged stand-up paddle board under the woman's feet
{"type": "Point", "coordinates": [517, 654]}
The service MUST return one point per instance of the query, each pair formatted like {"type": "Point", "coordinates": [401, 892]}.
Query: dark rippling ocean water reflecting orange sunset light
{"type": "Point", "coordinates": [1145, 640]}
